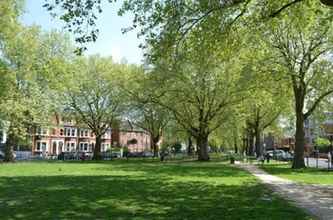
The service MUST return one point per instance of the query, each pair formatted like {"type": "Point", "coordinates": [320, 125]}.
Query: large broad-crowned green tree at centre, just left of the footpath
{"type": "Point", "coordinates": [200, 83]}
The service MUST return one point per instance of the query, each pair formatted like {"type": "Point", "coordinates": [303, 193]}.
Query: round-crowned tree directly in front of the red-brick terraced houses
{"type": "Point", "coordinates": [90, 91]}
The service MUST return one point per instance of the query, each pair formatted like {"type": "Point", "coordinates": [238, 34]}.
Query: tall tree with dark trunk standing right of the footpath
{"type": "Point", "coordinates": [301, 46]}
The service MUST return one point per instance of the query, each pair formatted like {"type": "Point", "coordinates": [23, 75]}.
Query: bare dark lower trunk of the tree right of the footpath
{"type": "Point", "coordinates": [298, 161]}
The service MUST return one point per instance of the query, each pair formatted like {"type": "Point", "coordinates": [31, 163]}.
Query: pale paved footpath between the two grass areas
{"type": "Point", "coordinates": [316, 199]}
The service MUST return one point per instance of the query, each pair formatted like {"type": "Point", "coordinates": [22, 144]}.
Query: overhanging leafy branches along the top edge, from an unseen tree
{"type": "Point", "coordinates": [168, 21]}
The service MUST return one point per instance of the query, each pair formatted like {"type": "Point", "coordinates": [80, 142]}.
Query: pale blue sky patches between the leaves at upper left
{"type": "Point", "coordinates": [111, 42]}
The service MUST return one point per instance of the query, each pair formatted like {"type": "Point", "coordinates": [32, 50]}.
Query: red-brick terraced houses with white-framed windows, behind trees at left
{"type": "Point", "coordinates": [65, 135]}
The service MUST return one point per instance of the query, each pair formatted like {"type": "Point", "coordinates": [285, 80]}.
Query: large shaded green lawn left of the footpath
{"type": "Point", "coordinates": [136, 190]}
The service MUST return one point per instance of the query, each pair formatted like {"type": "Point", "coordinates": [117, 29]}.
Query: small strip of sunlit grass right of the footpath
{"type": "Point", "coordinates": [307, 175]}
